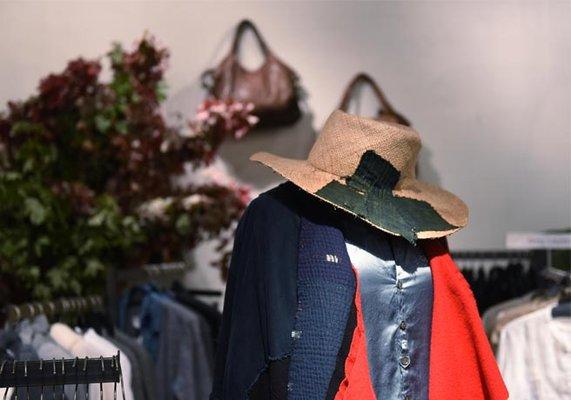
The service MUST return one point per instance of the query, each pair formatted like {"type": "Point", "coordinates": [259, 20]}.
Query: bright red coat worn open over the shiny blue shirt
{"type": "Point", "coordinates": [462, 364]}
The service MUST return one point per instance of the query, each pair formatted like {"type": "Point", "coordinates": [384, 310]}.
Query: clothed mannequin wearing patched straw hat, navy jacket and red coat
{"type": "Point", "coordinates": [341, 286]}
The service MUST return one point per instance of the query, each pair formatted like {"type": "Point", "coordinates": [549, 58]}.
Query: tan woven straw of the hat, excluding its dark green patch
{"type": "Point", "coordinates": [336, 155]}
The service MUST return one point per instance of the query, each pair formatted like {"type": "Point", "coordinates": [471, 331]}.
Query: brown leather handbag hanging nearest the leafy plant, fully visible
{"type": "Point", "coordinates": [272, 89]}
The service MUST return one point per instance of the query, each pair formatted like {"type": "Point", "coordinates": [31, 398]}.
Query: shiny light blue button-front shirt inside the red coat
{"type": "Point", "coordinates": [396, 298]}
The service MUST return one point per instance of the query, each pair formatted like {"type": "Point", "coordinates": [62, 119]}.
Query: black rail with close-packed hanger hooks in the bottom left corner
{"type": "Point", "coordinates": [51, 373]}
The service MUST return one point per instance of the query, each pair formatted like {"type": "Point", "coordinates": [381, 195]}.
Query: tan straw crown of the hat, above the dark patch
{"type": "Point", "coordinates": [345, 138]}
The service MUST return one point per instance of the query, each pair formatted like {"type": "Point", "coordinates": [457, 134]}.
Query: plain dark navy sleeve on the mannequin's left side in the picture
{"type": "Point", "coordinates": [260, 303]}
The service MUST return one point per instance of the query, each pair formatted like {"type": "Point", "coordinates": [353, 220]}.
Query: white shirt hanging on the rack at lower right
{"type": "Point", "coordinates": [535, 356]}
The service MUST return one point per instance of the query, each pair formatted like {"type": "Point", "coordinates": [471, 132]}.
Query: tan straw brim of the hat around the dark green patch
{"type": "Point", "coordinates": [312, 180]}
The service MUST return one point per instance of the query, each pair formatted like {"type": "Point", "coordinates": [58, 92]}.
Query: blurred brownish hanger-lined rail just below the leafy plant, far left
{"type": "Point", "coordinates": [13, 313]}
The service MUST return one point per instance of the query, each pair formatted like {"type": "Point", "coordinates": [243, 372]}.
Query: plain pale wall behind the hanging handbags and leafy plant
{"type": "Point", "coordinates": [487, 84]}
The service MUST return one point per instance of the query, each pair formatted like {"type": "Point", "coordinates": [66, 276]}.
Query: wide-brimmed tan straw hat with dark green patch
{"type": "Point", "coordinates": [367, 168]}
